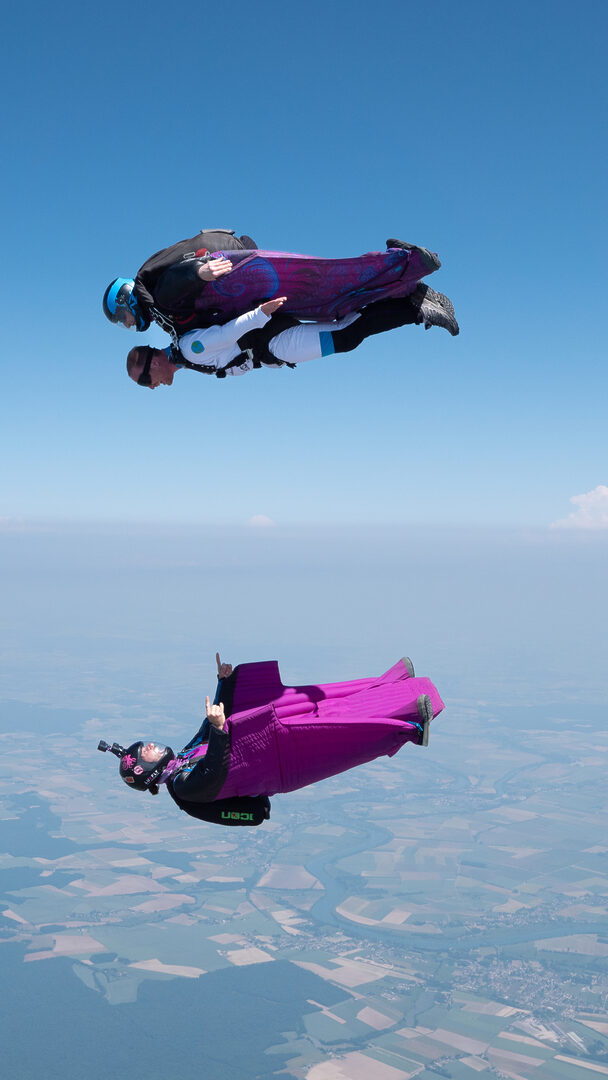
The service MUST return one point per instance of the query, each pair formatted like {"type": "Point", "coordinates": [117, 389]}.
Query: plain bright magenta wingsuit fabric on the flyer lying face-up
{"type": "Point", "coordinates": [285, 738]}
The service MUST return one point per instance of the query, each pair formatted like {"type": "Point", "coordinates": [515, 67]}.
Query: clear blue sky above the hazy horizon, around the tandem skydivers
{"type": "Point", "coordinates": [474, 129]}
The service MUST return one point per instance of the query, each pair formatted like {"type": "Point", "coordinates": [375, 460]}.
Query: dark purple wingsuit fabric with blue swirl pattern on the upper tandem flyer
{"type": "Point", "coordinates": [316, 289]}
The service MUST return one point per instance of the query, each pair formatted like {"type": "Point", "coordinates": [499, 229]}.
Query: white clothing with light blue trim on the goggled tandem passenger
{"type": "Point", "coordinates": [218, 345]}
